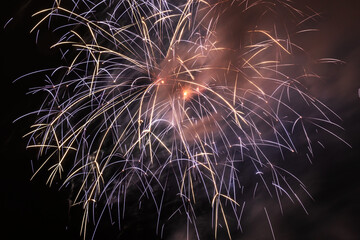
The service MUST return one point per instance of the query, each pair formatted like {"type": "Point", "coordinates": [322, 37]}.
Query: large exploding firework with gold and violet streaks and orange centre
{"type": "Point", "coordinates": [176, 103]}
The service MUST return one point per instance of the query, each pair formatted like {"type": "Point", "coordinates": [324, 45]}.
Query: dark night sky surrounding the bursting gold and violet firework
{"type": "Point", "coordinates": [34, 211]}
